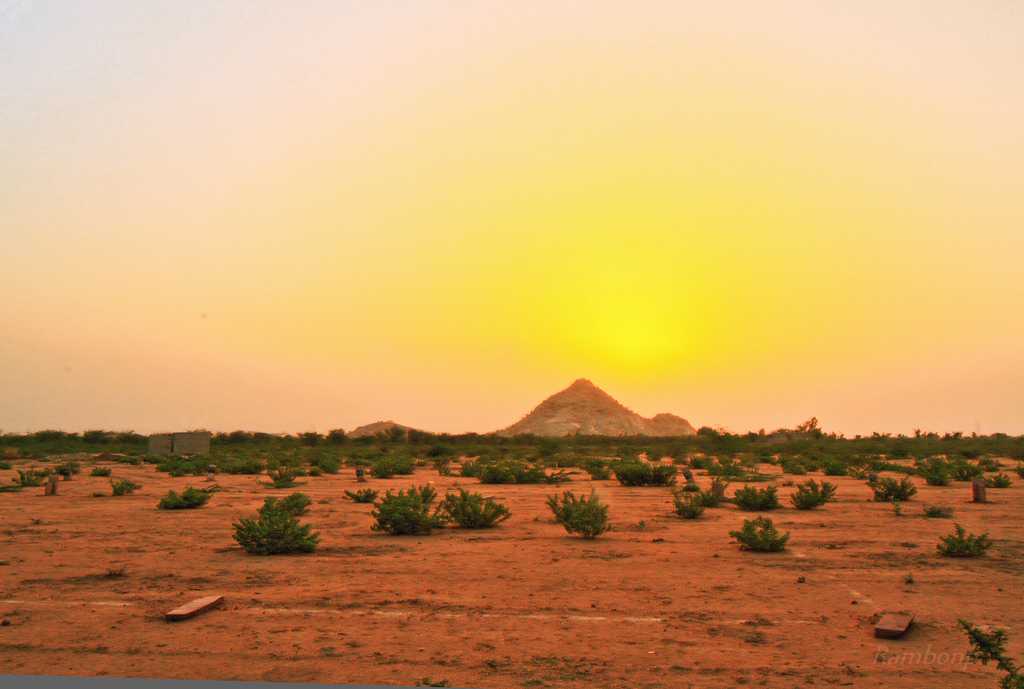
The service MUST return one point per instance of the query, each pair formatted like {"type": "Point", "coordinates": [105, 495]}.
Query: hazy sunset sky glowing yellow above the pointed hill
{"type": "Point", "coordinates": [304, 217]}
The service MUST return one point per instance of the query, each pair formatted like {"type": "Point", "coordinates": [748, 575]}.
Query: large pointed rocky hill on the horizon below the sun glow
{"type": "Point", "coordinates": [585, 409]}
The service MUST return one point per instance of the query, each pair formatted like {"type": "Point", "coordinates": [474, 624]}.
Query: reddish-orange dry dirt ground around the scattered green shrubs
{"type": "Point", "coordinates": [659, 602]}
